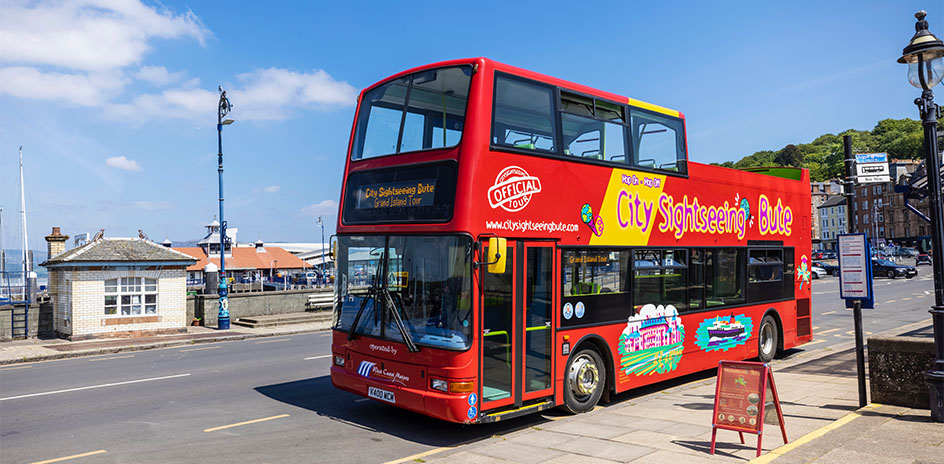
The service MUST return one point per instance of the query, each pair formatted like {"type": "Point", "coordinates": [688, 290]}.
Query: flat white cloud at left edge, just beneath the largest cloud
{"type": "Point", "coordinates": [90, 89]}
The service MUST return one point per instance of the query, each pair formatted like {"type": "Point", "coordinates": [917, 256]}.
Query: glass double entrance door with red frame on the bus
{"type": "Point", "coordinates": [517, 327]}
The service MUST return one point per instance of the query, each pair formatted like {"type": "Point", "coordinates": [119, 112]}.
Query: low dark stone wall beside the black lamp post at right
{"type": "Point", "coordinates": [897, 366]}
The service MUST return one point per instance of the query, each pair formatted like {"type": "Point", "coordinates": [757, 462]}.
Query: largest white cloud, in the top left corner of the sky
{"type": "Point", "coordinates": [90, 35]}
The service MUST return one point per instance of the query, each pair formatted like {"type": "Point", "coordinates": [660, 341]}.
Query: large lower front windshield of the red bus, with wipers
{"type": "Point", "coordinates": [428, 279]}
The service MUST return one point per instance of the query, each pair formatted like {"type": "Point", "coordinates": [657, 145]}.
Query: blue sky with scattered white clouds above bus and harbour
{"type": "Point", "coordinates": [114, 101]}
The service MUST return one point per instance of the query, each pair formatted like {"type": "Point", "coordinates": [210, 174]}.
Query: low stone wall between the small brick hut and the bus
{"type": "Point", "coordinates": [206, 307]}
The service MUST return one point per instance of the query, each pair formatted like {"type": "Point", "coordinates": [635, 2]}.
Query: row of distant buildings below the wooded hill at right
{"type": "Point", "coordinates": [878, 211]}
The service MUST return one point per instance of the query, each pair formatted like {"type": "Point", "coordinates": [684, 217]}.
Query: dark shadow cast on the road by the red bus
{"type": "Point", "coordinates": [319, 396]}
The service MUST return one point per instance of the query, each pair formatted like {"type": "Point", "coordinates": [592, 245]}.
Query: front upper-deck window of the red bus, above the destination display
{"type": "Point", "coordinates": [422, 111]}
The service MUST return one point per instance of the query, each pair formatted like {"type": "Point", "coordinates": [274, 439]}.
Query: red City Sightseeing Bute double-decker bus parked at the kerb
{"type": "Point", "coordinates": [509, 242]}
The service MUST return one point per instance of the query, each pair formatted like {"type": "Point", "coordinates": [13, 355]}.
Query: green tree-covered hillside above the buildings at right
{"type": "Point", "coordinates": [900, 138]}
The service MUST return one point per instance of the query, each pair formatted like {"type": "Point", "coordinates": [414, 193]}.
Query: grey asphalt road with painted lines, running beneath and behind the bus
{"type": "Point", "coordinates": [270, 400]}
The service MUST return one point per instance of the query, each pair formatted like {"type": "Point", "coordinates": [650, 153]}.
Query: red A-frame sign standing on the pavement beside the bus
{"type": "Point", "coordinates": [740, 400]}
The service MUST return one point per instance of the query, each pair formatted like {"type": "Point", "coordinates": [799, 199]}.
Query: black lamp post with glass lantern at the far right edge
{"type": "Point", "coordinates": [924, 55]}
